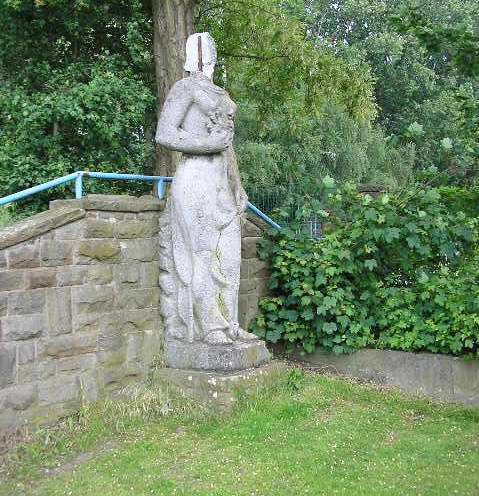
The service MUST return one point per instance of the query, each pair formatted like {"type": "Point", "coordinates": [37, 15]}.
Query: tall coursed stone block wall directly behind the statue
{"type": "Point", "coordinates": [79, 304]}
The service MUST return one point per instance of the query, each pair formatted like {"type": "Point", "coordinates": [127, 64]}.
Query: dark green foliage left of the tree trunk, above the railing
{"type": "Point", "coordinates": [77, 90]}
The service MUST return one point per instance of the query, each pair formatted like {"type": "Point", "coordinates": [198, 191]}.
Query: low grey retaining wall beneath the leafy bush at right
{"type": "Point", "coordinates": [440, 377]}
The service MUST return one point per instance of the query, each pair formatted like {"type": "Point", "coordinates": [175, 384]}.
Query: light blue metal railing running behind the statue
{"type": "Point", "coordinates": [77, 177]}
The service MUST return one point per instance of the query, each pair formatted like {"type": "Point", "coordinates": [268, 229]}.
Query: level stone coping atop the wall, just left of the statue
{"type": "Point", "coordinates": [112, 203]}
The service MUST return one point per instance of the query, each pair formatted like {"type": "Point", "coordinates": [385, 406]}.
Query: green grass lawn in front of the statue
{"type": "Point", "coordinates": [308, 435]}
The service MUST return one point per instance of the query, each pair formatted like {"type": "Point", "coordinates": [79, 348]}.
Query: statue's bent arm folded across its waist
{"type": "Point", "coordinates": [170, 134]}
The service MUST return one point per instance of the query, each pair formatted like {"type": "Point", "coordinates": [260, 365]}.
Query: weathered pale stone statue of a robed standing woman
{"type": "Point", "coordinates": [200, 236]}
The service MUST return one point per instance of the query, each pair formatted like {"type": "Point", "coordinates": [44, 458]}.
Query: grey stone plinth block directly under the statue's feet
{"type": "Point", "coordinates": [238, 356]}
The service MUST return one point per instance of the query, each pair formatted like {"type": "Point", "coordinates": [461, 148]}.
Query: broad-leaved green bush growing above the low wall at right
{"type": "Point", "coordinates": [397, 271]}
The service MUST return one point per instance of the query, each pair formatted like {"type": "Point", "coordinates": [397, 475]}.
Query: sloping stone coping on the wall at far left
{"type": "Point", "coordinates": [38, 224]}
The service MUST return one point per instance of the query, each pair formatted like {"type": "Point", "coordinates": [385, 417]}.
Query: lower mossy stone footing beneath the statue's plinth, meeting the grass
{"type": "Point", "coordinates": [219, 390]}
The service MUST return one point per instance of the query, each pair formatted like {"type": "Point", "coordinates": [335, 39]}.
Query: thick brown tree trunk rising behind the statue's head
{"type": "Point", "coordinates": [173, 23]}
